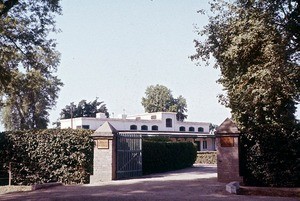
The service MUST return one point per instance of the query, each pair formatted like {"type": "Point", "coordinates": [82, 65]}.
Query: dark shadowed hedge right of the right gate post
{"type": "Point", "coordinates": [271, 157]}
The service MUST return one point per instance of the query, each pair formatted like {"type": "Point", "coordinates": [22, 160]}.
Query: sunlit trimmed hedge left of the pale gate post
{"type": "Point", "coordinates": [42, 156]}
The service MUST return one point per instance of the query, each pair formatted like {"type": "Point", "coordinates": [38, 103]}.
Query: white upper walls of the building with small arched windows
{"type": "Point", "coordinates": [158, 121]}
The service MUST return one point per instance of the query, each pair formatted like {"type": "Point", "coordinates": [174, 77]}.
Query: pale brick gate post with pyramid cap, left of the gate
{"type": "Point", "coordinates": [104, 163]}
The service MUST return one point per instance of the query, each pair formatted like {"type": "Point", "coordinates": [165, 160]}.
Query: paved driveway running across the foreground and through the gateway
{"type": "Point", "coordinates": [196, 183]}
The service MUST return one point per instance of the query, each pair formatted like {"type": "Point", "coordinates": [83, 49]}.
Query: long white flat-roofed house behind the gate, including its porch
{"type": "Point", "coordinates": [158, 122]}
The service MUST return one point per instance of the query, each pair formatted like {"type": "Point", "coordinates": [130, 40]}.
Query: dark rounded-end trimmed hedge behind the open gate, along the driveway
{"type": "Point", "coordinates": [167, 156]}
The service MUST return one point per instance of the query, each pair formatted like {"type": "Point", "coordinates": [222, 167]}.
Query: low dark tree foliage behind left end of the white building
{"type": "Point", "coordinates": [84, 109]}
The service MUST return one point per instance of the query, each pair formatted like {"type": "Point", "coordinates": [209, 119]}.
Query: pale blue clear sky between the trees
{"type": "Point", "coordinates": [115, 49]}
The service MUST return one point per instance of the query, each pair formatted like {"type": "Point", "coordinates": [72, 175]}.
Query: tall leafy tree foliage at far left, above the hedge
{"type": "Point", "coordinates": [28, 60]}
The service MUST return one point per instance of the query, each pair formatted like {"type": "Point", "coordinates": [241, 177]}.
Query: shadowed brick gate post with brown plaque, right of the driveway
{"type": "Point", "coordinates": [227, 141]}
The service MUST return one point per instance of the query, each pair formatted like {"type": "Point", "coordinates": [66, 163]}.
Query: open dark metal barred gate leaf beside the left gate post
{"type": "Point", "coordinates": [129, 155]}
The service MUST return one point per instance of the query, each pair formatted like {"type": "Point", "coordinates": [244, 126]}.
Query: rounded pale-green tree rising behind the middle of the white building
{"type": "Point", "coordinates": [160, 99]}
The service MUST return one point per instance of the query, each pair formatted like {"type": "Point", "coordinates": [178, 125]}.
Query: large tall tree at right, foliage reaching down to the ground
{"type": "Point", "coordinates": [256, 47]}
